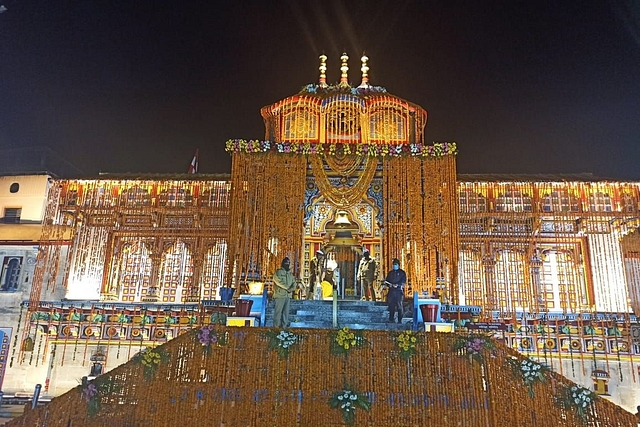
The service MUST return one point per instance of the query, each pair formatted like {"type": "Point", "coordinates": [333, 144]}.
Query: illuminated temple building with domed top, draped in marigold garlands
{"type": "Point", "coordinates": [128, 261]}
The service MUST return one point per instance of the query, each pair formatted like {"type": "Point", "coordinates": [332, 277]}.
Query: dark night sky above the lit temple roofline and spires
{"type": "Point", "coordinates": [139, 85]}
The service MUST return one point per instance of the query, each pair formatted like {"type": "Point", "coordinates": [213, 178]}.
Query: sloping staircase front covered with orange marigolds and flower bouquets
{"type": "Point", "coordinates": [225, 376]}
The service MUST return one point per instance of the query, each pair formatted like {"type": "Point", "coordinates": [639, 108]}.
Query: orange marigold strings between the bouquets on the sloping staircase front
{"type": "Point", "coordinates": [296, 396]}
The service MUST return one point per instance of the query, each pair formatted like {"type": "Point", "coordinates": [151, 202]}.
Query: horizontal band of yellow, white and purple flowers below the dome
{"type": "Point", "coordinates": [438, 149]}
